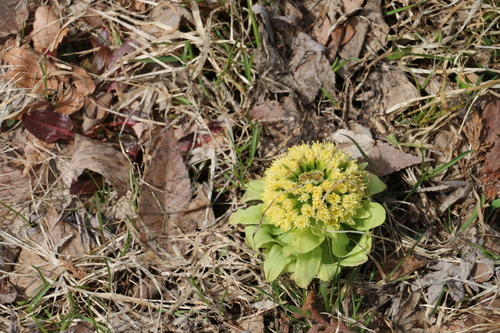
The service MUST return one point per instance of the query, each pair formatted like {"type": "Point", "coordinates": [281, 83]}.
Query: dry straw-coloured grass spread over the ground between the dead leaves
{"type": "Point", "coordinates": [118, 285]}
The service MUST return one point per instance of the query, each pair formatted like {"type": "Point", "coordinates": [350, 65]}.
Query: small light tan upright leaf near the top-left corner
{"type": "Point", "coordinates": [46, 28]}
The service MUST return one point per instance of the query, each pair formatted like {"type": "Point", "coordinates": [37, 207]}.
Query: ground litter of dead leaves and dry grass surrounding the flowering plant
{"type": "Point", "coordinates": [149, 85]}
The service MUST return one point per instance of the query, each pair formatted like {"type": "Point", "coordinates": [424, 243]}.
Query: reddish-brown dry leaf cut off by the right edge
{"type": "Point", "coordinates": [491, 168]}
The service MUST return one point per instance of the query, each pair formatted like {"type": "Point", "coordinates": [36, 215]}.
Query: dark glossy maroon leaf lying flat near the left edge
{"type": "Point", "coordinates": [48, 126]}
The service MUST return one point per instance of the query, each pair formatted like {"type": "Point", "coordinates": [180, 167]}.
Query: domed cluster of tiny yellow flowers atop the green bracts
{"type": "Point", "coordinates": [311, 185]}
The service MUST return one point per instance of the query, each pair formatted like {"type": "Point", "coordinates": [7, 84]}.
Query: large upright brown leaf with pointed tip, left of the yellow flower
{"type": "Point", "coordinates": [165, 196]}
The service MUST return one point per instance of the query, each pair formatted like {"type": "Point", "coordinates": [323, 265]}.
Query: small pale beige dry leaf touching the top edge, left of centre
{"type": "Point", "coordinates": [165, 19]}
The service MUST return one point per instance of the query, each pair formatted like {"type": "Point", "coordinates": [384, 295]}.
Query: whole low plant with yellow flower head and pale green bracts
{"type": "Point", "coordinates": [316, 214]}
